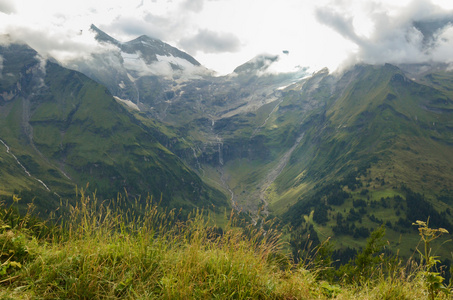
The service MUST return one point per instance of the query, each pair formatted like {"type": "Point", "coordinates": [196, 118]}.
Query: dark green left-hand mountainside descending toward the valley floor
{"type": "Point", "coordinates": [61, 129]}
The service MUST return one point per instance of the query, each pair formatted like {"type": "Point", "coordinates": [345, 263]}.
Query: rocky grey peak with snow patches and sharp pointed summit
{"type": "Point", "coordinates": [137, 71]}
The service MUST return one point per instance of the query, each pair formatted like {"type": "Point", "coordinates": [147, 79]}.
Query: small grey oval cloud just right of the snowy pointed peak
{"type": "Point", "coordinates": [208, 41]}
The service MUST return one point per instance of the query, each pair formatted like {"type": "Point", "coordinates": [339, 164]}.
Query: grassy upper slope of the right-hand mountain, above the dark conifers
{"type": "Point", "coordinates": [390, 132]}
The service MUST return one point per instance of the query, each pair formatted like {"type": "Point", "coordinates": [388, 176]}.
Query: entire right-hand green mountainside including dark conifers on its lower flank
{"type": "Point", "coordinates": [378, 151]}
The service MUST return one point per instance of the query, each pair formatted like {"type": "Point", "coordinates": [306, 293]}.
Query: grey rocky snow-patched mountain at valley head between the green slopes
{"type": "Point", "coordinates": [196, 108]}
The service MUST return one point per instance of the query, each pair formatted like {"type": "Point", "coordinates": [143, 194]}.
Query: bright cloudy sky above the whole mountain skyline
{"type": "Point", "coordinates": [223, 34]}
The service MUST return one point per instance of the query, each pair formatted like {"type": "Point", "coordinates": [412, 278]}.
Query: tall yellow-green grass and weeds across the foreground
{"type": "Point", "coordinates": [99, 251]}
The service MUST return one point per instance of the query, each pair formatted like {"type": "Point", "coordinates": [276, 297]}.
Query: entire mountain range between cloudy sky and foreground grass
{"type": "Point", "coordinates": [329, 154]}
